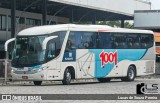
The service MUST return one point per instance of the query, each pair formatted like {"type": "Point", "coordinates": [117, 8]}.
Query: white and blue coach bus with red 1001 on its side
{"type": "Point", "coordinates": [69, 51]}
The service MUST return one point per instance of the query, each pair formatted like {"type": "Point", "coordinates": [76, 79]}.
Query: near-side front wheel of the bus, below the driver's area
{"type": "Point", "coordinates": [67, 77]}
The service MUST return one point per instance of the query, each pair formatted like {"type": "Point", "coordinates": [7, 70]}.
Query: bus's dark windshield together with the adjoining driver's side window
{"type": "Point", "coordinates": [28, 49]}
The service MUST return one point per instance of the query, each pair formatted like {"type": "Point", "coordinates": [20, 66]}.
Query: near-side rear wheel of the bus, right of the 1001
{"type": "Point", "coordinates": [131, 74]}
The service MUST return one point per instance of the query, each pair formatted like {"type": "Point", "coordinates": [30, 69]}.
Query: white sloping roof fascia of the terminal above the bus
{"type": "Point", "coordinates": [125, 7]}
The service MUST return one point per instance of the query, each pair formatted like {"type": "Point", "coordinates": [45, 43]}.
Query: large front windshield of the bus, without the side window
{"type": "Point", "coordinates": [28, 51]}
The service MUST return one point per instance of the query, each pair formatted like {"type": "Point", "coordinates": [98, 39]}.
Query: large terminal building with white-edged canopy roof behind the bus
{"type": "Point", "coordinates": [16, 15]}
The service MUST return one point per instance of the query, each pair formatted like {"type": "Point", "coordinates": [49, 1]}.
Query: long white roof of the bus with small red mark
{"type": "Point", "coordinates": [47, 29]}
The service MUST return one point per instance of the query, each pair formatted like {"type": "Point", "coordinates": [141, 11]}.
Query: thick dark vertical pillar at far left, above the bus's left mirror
{"type": "Point", "coordinates": [13, 8]}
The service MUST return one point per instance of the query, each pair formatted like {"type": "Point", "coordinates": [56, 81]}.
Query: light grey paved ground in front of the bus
{"type": "Point", "coordinates": [78, 87]}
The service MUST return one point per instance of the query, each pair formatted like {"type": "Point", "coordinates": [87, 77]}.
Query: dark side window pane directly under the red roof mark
{"type": "Point", "coordinates": [105, 40]}
